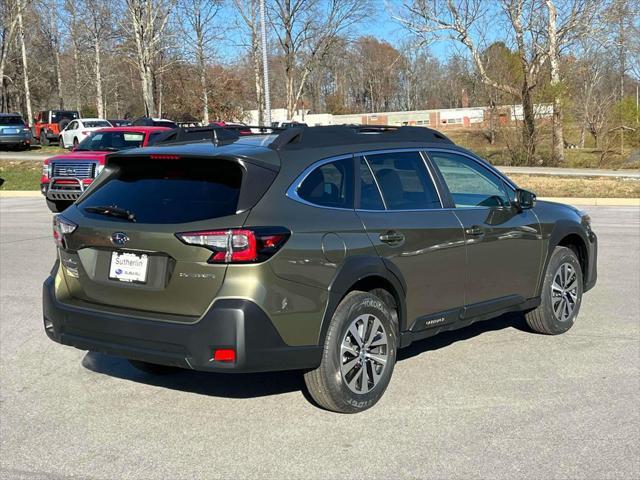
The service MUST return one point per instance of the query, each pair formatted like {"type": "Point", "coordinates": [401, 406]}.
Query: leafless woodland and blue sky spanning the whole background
{"type": "Point", "coordinates": [201, 60]}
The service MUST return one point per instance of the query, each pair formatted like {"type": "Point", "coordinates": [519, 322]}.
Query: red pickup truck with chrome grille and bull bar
{"type": "Point", "coordinates": [66, 176]}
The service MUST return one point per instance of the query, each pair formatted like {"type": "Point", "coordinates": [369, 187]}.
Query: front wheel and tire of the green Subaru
{"type": "Point", "coordinates": [561, 294]}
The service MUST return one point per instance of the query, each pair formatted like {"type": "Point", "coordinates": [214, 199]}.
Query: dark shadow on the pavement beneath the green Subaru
{"type": "Point", "coordinates": [250, 385]}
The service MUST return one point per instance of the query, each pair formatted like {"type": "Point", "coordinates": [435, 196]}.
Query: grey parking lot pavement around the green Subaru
{"type": "Point", "coordinates": [490, 401]}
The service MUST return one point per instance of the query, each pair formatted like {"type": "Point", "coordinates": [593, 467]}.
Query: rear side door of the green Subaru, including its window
{"type": "Point", "coordinates": [401, 211]}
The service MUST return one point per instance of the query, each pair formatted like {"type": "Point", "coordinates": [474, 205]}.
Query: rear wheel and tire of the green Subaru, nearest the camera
{"type": "Point", "coordinates": [338, 384]}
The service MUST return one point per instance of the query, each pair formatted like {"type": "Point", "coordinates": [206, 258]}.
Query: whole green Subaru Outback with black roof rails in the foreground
{"type": "Point", "coordinates": [323, 249]}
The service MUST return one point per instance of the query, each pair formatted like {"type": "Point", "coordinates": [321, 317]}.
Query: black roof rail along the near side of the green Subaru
{"type": "Point", "coordinates": [315, 137]}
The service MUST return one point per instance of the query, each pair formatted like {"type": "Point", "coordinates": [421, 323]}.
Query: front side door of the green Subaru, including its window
{"type": "Point", "coordinates": [504, 246]}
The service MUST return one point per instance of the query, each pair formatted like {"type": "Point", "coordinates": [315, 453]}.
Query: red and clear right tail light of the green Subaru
{"type": "Point", "coordinates": [238, 245]}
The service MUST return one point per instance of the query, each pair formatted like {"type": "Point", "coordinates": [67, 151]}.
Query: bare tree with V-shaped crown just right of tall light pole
{"type": "Point", "coordinates": [307, 31]}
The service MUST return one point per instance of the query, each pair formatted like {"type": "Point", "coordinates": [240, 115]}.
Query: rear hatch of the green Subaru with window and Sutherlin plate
{"type": "Point", "coordinates": [136, 260]}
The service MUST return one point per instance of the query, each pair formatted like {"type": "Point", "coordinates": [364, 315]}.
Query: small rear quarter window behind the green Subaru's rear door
{"type": "Point", "coordinates": [330, 185]}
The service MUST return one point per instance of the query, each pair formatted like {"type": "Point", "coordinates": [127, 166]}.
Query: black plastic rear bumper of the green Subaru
{"type": "Point", "coordinates": [229, 323]}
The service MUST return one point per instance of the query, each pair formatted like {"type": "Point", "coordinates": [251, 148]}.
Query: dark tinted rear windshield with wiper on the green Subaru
{"type": "Point", "coordinates": [170, 191]}
